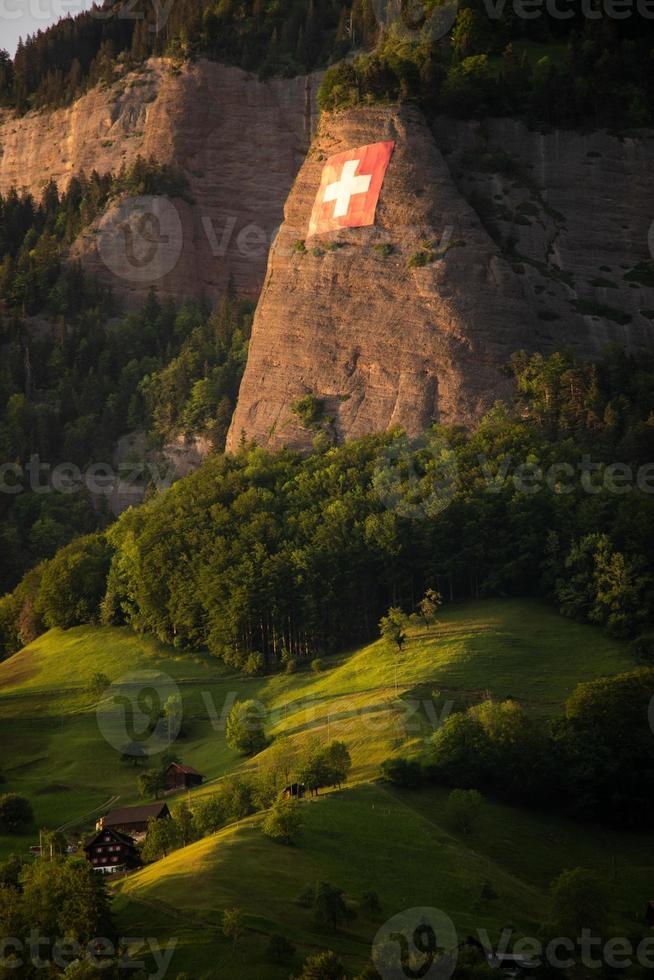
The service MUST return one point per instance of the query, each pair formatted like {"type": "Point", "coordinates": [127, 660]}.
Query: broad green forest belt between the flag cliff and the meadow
{"type": "Point", "coordinates": [253, 554]}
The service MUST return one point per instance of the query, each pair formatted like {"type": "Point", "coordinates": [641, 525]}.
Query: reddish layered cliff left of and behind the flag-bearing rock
{"type": "Point", "coordinates": [238, 140]}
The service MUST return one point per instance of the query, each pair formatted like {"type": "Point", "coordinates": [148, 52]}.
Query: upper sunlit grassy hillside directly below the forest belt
{"type": "Point", "coordinates": [55, 753]}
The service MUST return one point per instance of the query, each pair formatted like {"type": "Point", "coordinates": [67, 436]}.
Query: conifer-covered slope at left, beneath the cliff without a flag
{"type": "Point", "coordinates": [69, 389]}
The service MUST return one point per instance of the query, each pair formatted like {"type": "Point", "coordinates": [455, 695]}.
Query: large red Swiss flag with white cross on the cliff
{"type": "Point", "coordinates": [350, 187]}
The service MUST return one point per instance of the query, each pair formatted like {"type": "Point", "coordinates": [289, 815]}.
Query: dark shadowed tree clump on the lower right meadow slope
{"type": "Point", "coordinates": [593, 761]}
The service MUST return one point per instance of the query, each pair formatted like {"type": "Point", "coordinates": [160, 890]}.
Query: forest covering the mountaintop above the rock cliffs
{"type": "Point", "coordinates": [568, 65]}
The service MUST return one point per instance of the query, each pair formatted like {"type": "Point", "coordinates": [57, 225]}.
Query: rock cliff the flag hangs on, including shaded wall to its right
{"type": "Point", "coordinates": [532, 237]}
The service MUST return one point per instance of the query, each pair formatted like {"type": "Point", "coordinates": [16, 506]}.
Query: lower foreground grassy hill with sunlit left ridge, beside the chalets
{"type": "Point", "coordinates": [369, 838]}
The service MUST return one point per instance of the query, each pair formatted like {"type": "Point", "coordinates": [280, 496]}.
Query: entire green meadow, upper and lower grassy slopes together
{"type": "Point", "coordinates": [365, 837]}
